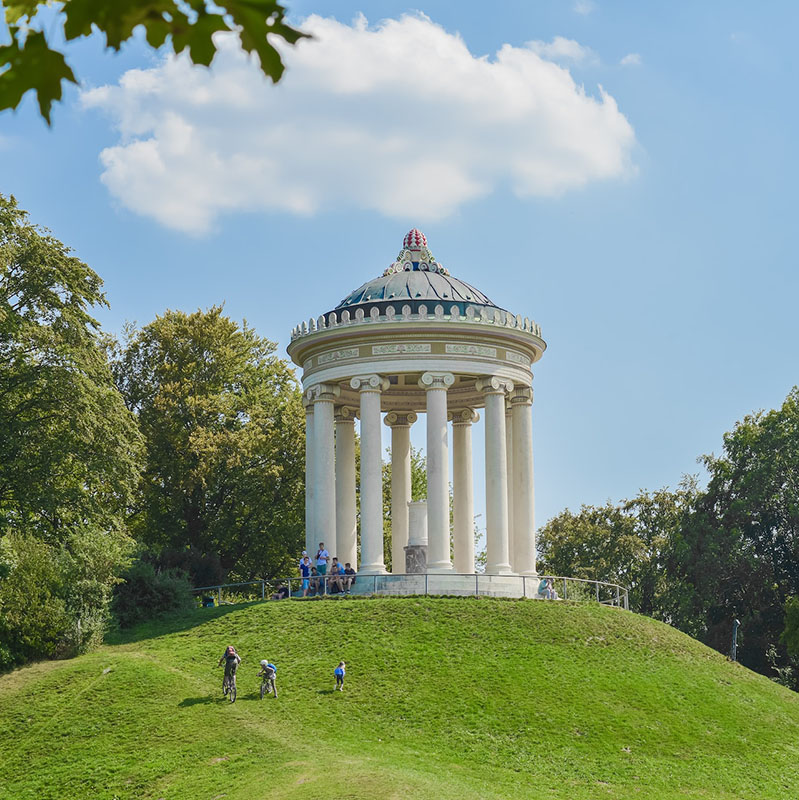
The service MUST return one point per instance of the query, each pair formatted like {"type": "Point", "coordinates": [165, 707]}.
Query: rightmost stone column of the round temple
{"type": "Point", "coordinates": [523, 488]}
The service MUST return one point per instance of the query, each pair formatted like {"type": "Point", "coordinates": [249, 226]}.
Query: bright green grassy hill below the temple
{"type": "Point", "coordinates": [445, 698]}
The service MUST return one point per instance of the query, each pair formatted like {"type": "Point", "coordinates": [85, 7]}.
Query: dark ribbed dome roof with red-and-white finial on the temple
{"type": "Point", "coordinates": [414, 278]}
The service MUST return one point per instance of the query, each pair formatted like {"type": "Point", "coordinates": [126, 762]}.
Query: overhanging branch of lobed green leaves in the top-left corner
{"type": "Point", "coordinates": [28, 62]}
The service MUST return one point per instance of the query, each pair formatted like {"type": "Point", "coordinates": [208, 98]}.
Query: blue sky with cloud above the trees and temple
{"type": "Point", "coordinates": [665, 280]}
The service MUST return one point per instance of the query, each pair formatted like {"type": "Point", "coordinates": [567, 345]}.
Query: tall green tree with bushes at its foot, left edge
{"type": "Point", "coordinates": [69, 449]}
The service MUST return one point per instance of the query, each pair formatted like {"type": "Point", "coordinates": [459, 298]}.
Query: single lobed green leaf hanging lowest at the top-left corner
{"type": "Point", "coordinates": [32, 66]}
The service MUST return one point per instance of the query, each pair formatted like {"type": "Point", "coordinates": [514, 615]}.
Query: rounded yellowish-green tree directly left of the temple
{"type": "Point", "coordinates": [223, 422]}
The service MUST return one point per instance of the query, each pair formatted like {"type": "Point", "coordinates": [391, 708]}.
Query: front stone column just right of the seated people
{"type": "Point", "coordinates": [370, 387]}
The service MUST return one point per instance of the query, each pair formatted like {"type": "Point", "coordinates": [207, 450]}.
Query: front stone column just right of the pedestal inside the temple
{"type": "Point", "coordinates": [436, 385]}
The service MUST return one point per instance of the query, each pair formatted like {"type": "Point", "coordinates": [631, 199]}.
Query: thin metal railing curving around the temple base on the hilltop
{"type": "Point", "coordinates": [438, 583]}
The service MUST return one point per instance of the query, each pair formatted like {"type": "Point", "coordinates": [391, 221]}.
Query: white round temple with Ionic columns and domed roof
{"type": "Point", "coordinates": [417, 340]}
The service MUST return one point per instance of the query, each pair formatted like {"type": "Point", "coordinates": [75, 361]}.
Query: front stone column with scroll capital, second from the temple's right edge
{"type": "Point", "coordinates": [496, 467]}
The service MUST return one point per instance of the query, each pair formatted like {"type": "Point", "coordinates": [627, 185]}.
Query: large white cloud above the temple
{"type": "Point", "coordinates": [400, 119]}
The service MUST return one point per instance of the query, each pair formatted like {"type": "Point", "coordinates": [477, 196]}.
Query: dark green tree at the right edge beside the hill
{"type": "Point", "coordinates": [738, 553]}
